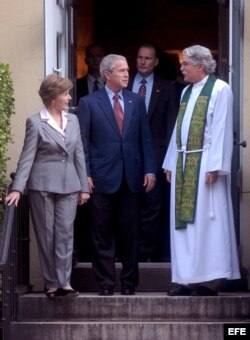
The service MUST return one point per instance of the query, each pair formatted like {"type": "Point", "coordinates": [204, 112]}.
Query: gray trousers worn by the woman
{"type": "Point", "coordinates": [53, 219]}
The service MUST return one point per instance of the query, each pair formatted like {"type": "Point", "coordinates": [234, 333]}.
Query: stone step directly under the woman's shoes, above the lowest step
{"type": "Point", "coordinates": [140, 307]}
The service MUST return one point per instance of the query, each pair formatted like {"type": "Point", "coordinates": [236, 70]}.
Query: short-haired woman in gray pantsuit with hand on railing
{"type": "Point", "coordinates": [52, 168]}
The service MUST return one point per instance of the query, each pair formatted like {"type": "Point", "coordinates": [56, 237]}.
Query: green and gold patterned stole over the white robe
{"type": "Point", "coordinates": [187, 182]}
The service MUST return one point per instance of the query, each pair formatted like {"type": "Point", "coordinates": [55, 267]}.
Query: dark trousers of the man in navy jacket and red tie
{"type": "Point", "coordinates": [112, 215]}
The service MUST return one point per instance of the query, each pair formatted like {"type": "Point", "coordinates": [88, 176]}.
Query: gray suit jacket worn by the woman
{"type": "Point", "coordinates": [49, 163]}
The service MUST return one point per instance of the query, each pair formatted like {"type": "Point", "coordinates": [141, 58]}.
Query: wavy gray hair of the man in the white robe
{"type": "Point", "coordinates": [201, 55]}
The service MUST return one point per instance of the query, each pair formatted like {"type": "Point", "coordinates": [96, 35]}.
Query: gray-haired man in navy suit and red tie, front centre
{"type": "Point", "coordinates": [120, 161]}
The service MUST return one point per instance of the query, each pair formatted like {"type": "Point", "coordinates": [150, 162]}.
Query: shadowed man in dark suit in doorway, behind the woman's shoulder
{"type": "Point", "coordinates": [92, 81]}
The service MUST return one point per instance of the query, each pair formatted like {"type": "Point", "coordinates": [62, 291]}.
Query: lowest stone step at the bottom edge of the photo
{"type": "Point", "coordinates": [107, 330]}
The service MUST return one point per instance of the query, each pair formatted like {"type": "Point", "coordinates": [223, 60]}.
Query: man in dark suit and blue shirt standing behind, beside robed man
{"type": "Point", "coordinates": [160, 100]}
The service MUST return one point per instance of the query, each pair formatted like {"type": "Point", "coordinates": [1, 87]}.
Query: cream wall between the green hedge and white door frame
{"type": "Point", "coordinates": [22, 35]}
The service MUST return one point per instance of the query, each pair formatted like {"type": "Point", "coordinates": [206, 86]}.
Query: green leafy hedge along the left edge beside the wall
{"type": "Point", "coordinates": [6, 111]}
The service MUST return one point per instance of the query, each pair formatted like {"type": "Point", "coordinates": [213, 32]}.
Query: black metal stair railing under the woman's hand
{"type": "Point", "coordinates": [14, 262]}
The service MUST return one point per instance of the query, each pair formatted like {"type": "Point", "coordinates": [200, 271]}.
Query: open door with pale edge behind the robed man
{"type": "Point", "coordinates": [229, 69]}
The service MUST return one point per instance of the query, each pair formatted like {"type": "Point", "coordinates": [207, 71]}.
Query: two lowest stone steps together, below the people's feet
{"type": "Point", "coordinates": [144, 316]}
